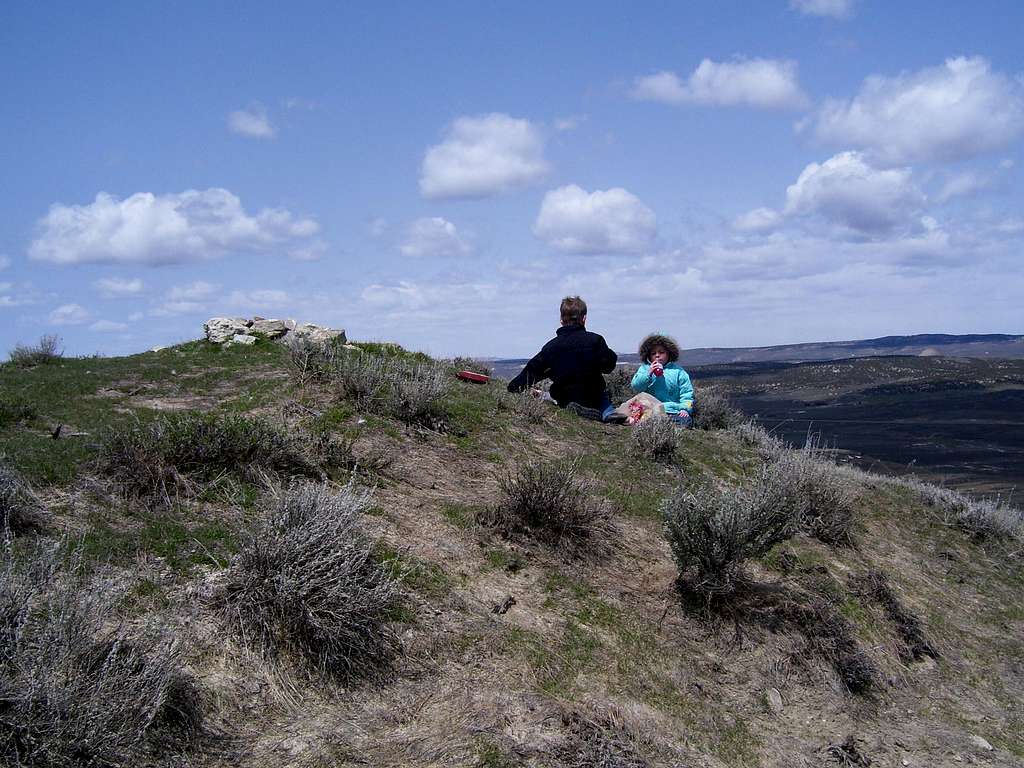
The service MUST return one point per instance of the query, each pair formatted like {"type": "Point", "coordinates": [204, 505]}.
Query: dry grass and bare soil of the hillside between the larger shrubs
{"type": "Point", "coordinates": [602, 659]}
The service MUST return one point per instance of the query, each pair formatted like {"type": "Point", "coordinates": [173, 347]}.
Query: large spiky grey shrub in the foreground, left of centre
{"type": "Point", "coordinates": [308, 582]}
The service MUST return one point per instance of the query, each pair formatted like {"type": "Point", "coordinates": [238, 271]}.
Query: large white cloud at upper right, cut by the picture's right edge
{"type": "Point", "coordinates": [948, 113]}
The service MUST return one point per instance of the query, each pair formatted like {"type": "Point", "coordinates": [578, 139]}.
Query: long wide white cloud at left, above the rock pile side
{"type": "Point", "coordinates": [147, 229]}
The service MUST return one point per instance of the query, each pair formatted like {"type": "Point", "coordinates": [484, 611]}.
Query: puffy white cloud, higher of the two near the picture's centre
{"type": "Point", "coordinates": [484, 156]}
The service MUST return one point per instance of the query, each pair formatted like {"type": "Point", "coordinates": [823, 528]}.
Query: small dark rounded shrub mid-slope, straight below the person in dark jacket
{"type": "Point", "coordinates": [548, 502]}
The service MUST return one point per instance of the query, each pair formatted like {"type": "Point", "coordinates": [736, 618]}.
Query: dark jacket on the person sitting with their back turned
{"type": "Point", "coordinates": [574, 361]}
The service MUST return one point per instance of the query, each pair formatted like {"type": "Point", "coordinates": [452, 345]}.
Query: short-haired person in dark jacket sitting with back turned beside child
{"type": "Point", "coordinates": [575, 361]}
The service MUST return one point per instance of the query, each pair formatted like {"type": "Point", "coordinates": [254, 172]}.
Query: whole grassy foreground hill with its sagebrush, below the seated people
{"type": "Point", "coordinates": [329, 557]}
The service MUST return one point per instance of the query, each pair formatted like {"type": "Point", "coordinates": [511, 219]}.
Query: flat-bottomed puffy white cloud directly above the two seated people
{"type": "Point", "coordinates": [604, 222]}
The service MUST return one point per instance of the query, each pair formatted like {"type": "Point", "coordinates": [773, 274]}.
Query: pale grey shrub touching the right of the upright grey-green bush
{"type": "Point", "coordinates": [822, 497]}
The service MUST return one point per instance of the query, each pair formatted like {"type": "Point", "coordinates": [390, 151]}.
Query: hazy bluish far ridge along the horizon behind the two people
{"type": "Point", "coordinates": [946, 346]}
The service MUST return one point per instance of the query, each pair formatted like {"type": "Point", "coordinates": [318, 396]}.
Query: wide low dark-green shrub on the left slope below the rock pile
{"type": "Point", "coordinates": [165, 457]}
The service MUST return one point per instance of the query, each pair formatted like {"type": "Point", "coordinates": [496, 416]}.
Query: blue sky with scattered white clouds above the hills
{"type": "Point", "coordinates": [441, 175]}
